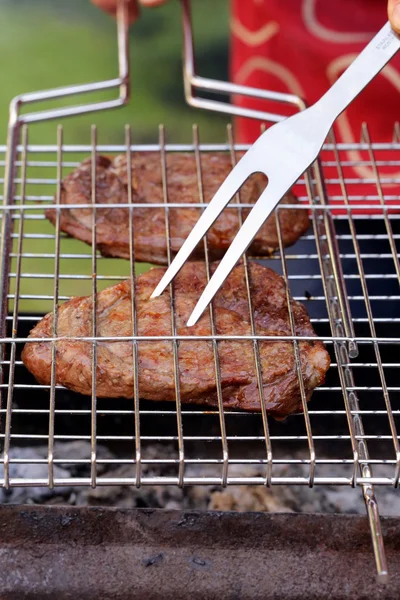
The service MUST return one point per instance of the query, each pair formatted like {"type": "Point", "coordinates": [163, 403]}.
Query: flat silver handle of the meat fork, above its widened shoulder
{"type": "Point", "coordinates": [362, 70]}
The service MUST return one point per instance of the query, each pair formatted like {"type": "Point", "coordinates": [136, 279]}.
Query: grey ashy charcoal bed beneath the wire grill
{"type": "Point", "coordinates": [295, 499]}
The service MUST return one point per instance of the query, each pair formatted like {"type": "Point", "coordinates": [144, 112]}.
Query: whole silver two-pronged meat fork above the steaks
{"type": "Point", "coordinates": [283, 153]}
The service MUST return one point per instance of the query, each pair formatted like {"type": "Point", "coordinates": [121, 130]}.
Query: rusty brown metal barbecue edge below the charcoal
{"type": "Point", "coordinates": [63, 552]}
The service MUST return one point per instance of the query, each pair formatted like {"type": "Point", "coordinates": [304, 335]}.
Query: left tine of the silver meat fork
{"type": "Point", "coordinates": [235, 179]}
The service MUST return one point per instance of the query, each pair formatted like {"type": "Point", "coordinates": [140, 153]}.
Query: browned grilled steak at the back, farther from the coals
{"type": "Point", "coordinates": [150, 241]}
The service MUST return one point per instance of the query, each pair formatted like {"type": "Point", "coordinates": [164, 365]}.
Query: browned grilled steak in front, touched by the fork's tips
{"type": "Point", "coordinates": [196, 360]}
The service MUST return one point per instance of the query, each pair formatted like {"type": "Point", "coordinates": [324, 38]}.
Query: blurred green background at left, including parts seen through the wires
{"type": "Point", "coordinates": [51, 43]}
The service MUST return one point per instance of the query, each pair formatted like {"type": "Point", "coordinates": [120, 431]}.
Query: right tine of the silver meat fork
{"type": "Point", "coordinates": [266, 203]}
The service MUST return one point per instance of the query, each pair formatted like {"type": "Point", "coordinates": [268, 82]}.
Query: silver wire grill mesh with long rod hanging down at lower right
{"type": "Point", "coordinates": [343, 339]}
